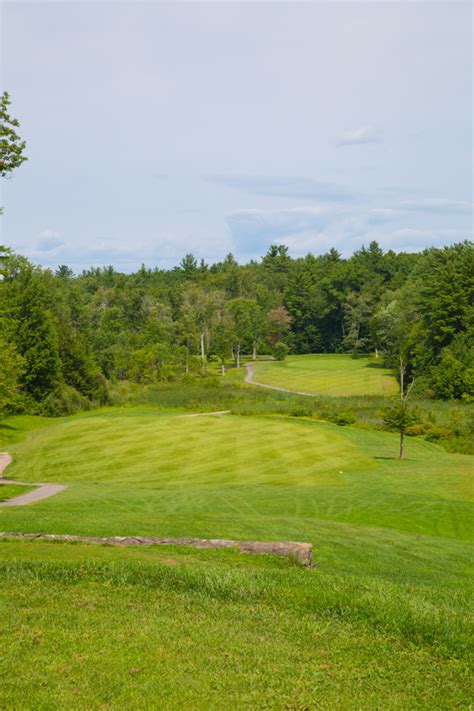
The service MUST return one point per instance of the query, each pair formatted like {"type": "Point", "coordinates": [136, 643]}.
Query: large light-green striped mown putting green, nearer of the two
{"type": "Point", "coordinates": [146, 450]}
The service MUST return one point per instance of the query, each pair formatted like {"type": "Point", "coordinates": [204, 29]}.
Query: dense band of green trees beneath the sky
{"type": "Point", "coordinates": [66, 339]}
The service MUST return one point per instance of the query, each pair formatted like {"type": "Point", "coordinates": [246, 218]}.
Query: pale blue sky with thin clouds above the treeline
{"type": "Point", "coordinates": [155, 129]}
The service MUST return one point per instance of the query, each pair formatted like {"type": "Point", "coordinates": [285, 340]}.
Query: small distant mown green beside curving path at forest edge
{"type": "Point", "coordinates": [323, 374]}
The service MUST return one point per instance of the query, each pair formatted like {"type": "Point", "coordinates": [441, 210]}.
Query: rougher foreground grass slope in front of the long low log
{"type": "Point", "coordinates": [97, 626]}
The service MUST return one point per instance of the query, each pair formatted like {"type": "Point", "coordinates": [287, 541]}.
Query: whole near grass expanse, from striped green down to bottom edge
{"type": "Point", "coordinates": [382, 622]}
